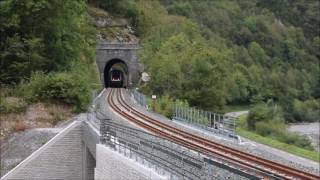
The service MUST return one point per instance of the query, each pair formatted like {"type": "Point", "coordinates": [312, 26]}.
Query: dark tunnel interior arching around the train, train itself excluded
{"type": "Point", "coordinates": [115, 64]}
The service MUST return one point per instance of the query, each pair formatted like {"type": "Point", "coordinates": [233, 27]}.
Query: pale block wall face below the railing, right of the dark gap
{"type": "Point", "coordinates": [112, 165]}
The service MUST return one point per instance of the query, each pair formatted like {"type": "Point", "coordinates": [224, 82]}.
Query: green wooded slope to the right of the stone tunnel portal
{"type": "Point", "coordinates": [217, 53]}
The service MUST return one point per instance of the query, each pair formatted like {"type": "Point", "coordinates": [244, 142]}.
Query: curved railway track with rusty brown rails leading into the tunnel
{"type": "Point", "coordinates": [263, 168]}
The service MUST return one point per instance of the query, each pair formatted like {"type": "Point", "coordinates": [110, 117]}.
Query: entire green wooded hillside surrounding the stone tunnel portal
{"type": "Point", "coordinates": [209, 54]}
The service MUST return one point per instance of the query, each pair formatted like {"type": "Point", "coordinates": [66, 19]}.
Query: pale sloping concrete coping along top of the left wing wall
{"type": "Point", "coordinates": [42, 148]}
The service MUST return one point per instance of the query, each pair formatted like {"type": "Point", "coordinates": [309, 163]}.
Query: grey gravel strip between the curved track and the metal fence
{"type": "Point", "coordinates": [243, 145]}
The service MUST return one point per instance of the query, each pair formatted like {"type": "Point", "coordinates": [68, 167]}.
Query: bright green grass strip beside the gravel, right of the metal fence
{"type": "Point", "coordinates": [242, 131]}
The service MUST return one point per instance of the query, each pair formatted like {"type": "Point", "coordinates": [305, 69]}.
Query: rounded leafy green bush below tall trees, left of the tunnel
{"type": "Point", "coordinates": [60, 86]}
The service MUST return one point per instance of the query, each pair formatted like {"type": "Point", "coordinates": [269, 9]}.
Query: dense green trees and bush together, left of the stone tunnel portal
{"type": "Point", "coordinates": [47, 50]}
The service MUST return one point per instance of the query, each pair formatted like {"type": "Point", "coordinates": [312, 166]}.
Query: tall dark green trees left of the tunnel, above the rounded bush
{"type": "Point", "coordinates": [42, 35]}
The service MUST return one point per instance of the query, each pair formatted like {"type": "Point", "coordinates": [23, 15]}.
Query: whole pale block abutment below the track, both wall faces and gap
{"type": "Point", "coordinates": [70, 155]}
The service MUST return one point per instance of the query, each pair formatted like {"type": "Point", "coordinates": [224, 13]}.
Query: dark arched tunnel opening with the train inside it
{"type": "Point", "coordinates": [116, 74]}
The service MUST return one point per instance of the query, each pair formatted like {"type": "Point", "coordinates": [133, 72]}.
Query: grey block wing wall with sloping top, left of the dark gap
{"type": "Point", "coordinates": [60, 158]}
